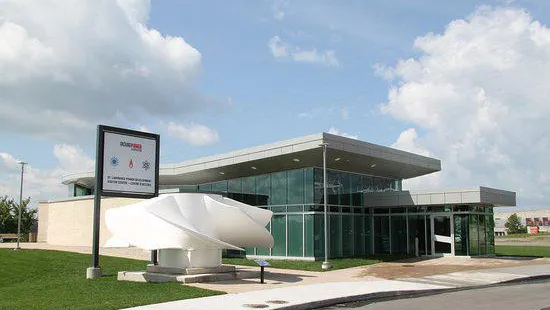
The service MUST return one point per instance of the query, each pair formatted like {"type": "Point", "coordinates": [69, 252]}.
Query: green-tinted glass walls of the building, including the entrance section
{"type": "Point", "coordinates": [297, 226]}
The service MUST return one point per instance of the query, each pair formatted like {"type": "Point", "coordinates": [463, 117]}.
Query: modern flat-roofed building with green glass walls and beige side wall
{"type": "Point", "coordinates": [367, 210]}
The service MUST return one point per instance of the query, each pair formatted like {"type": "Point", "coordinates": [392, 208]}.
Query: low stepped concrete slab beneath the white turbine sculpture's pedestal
{"type": "Point", "coordinates": [188, 275]}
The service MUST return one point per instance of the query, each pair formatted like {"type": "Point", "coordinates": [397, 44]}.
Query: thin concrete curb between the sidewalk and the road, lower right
{"type": "Point", "coordinates": [390, 295]}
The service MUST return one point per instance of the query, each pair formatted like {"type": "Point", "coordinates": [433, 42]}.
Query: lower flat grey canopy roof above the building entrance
{"type": "Point", "coordinates": [479, 195]}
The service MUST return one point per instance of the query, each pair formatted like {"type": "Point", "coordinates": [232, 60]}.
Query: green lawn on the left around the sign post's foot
{"type": "Point", "coordinates": [37, 279]}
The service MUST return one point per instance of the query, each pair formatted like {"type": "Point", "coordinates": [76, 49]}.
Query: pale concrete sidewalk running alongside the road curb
{"type": "Point", "coordinates": [318, 295]}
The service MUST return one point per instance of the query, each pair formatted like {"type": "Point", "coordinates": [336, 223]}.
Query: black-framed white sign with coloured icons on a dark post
{"type": "Point", "coordinates": [127, 165]}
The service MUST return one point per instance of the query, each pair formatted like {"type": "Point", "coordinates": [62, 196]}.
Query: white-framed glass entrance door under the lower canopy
{"type": "Point", "coordinates": [442, 234]}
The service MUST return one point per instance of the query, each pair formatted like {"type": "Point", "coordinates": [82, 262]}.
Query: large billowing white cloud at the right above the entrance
{"type": "Point", "coordinates": [479, 92]}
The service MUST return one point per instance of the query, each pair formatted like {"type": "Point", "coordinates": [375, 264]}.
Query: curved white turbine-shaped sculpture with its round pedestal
{"type": "Point", "coordinates": [190, 229]}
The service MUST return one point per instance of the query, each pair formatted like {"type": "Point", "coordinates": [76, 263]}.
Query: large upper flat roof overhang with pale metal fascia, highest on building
{"type": "Point", "coordinates": [342, 154]}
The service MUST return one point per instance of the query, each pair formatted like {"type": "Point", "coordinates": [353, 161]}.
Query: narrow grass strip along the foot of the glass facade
{"type": "Point", "coordinates": [337, 263]}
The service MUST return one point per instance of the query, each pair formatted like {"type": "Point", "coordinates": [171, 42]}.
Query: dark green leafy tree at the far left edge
{"type": "Point", "coordinates": [9, 212]}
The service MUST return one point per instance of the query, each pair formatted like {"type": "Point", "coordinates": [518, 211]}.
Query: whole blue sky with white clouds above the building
{"type": "Point", "coordinates": [254, 72]}
